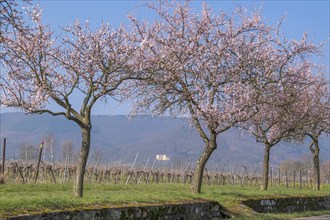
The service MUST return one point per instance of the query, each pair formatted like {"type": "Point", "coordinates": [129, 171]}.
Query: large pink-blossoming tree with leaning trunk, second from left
{"type": "Point", "coordinates": [203, 66]}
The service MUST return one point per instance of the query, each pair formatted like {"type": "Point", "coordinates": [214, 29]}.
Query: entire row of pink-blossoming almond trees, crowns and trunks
{"type": "Point", "coordinates": [221, 70]}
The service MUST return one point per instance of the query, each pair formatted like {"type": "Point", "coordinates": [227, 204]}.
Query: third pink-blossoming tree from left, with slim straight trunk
{"type": "Point", "coordinates": [287, 73]}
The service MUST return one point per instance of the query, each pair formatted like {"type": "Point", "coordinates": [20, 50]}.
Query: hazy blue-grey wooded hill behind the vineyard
{"type": "Point", "coordinates": [118, 138]}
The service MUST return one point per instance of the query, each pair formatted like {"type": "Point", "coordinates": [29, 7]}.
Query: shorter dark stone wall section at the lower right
{"type": "Point", "coordinates": [300, 204]}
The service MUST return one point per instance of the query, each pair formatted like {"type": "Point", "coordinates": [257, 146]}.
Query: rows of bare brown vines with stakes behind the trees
{"type": "Point", "coordinates": [20, 172]}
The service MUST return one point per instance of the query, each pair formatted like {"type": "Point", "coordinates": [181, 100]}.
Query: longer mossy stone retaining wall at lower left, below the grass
{"type": "Point", "coordinates": [199, 211]}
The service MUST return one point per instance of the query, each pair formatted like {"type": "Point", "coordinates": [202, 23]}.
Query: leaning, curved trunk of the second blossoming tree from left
{"type": "Point", "coordinates": [198, 174]}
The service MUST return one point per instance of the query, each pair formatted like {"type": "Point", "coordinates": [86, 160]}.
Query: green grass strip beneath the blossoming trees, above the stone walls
{"type": "Point", "coordinates": [33, 198]}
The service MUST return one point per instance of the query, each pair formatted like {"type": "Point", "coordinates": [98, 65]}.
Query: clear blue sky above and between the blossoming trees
{"type": "Point", "coordinates": [301, 16]}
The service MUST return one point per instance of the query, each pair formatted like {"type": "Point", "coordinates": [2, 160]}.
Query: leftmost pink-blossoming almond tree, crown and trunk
{"type": "Point", "coordinates": [81, 65]}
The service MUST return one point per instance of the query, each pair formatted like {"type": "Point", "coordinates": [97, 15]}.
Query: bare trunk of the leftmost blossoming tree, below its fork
{"type": "Point", "coordinates": [86, 138]}
